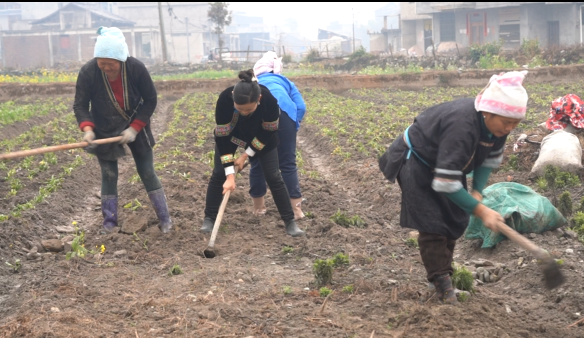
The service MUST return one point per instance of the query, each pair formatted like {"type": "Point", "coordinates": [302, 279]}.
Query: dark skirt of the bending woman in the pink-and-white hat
{"type": "Point", "coordinates": [422, 208]}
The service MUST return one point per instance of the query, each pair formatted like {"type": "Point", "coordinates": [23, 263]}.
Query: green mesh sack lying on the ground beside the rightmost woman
{"type": "Point", "coordinates": [523, 209]}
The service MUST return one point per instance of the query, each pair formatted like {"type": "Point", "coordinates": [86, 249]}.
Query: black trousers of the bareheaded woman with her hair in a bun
{"type": "Point", "coordinates": [271, 169]}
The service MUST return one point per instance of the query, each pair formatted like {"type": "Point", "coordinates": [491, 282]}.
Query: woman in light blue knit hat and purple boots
{"type": "Point", "coordinates": [115, 96]}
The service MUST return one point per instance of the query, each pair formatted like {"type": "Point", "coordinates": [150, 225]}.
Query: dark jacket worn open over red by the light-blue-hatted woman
{"type": "Point", "coordinates": [94, 104]}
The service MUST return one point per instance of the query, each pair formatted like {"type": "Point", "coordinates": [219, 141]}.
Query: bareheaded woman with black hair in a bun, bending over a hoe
{"type": "Point", "coordinates": [247, 116]}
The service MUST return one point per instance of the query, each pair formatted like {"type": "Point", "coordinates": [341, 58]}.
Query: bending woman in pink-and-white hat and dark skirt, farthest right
{"type": "Point", "coordinates": [432, 158]}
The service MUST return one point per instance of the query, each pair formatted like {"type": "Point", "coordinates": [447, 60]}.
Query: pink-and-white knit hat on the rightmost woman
{"type": "Point", "coordinates": [504, 95]}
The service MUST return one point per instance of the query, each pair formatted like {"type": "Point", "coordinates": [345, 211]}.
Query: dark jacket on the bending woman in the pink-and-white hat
{"type": "Point", "coordinates": [450, 137]}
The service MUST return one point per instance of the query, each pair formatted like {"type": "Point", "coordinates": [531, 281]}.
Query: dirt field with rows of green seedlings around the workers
{"type": "Point", "coordinates": [261, 284]}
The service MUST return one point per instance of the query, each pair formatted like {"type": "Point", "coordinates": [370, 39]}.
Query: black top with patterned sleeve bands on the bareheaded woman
{"type": "Point", "coordinates": [258, 130]}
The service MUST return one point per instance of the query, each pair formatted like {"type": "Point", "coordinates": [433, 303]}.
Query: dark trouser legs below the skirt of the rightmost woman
{"type": "Point", "coordinates": [437, 252]}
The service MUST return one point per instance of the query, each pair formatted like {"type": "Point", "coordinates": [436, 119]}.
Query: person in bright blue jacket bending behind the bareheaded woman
{"type": "Point", "coordinates": [292, 109]}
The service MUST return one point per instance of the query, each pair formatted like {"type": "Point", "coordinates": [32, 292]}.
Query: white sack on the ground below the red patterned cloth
{"type": "Point", "coordinates": [560, 149]}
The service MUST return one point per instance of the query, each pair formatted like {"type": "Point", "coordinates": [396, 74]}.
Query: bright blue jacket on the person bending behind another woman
{"type": "Point", "coordinates": [289, 98]}
